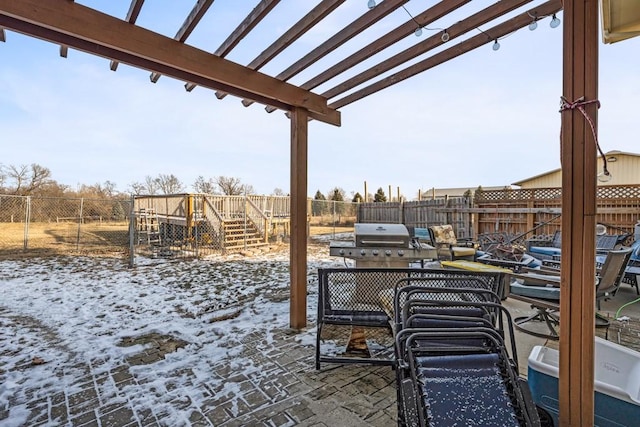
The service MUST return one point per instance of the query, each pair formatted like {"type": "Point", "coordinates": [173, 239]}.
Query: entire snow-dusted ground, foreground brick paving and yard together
{"type": "Point", "coordinates": [88, 341]}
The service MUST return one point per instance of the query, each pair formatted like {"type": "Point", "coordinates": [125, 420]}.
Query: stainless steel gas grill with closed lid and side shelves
{"type": "Point", "coordinates": [383, 245]}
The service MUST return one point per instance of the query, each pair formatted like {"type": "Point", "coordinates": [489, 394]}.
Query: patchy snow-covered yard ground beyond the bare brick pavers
{"type": "Point", "coordinates": [66, 319]}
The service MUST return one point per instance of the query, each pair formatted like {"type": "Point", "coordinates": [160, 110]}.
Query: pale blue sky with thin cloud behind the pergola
{"type": "Point", "coordinates": [485, 118]}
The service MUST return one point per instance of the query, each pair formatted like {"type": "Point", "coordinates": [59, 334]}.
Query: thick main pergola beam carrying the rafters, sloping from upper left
{"type": "Point", "coordinates": [85, 29]}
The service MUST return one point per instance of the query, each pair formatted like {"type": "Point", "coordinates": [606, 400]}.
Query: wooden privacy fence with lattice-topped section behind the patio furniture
{"type": "Point", "coordinates": [514, 212]}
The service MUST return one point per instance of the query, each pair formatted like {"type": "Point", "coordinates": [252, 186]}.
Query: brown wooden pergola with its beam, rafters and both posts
{"type": "Point", "coordinates": [119, 39]}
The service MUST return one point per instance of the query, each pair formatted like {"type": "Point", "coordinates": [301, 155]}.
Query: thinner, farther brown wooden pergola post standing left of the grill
{"type": "Point", "coordinates": [298, 246]}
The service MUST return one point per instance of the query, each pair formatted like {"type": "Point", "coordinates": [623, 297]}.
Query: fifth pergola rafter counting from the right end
{"type": "Point", "coordinates": [318, 13]}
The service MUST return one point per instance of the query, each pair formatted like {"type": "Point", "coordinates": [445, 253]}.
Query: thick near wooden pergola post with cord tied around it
{"type": "Point", "coordinates": [578, 158]}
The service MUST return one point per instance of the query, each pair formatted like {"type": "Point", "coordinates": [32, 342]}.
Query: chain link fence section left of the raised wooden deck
{"type": "Point", "coordinates": [55, 226]}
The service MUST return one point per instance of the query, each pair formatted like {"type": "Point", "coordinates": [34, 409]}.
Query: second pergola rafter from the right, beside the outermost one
{"type": "Point", "coordinates": [462, 27]}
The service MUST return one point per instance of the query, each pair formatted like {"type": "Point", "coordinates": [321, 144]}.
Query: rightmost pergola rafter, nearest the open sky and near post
{"type": "Point", "coordinates": [490, 35]}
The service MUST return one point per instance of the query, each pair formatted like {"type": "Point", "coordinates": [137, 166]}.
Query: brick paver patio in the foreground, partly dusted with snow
{"type": "Point", "coordinates": [282, 389]}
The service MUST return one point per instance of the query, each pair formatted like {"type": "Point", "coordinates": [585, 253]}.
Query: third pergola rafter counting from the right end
{"type": "Point", "coordinates": [425, 18]}
